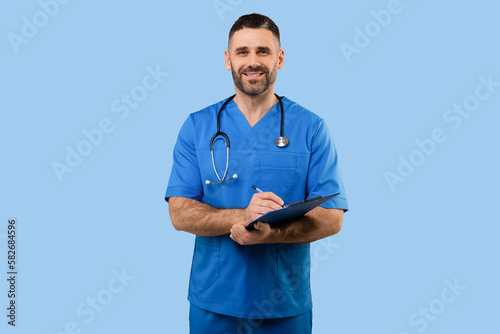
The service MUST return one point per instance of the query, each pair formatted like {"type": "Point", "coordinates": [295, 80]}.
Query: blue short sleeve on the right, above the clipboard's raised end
{"type": "Point", "coordinates": [324, 177]}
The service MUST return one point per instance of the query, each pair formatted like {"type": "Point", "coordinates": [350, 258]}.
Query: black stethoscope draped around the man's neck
{"type": "Point", "coordinates": [281, 141]}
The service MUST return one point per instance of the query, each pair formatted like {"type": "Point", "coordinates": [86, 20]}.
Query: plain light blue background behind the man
{"type": "Point", "coordinates": [396, 248]}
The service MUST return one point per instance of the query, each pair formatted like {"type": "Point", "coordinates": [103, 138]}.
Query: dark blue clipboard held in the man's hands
{"type": "Point", "coordinates": [290, 211]}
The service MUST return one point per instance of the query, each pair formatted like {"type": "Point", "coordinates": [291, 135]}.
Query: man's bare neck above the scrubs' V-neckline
{"type": "Point", "coordinates": [255, 107]}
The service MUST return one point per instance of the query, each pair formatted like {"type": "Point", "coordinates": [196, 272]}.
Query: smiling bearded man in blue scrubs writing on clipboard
{"type": "Point", "coordinates": [253, 281]}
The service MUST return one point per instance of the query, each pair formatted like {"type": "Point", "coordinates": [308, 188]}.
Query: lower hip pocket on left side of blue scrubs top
{"type": "Point", "coordinates": [205, 268]}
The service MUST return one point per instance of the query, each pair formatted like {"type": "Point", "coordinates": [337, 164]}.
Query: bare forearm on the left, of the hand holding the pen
{"type": "Point", "coordinates": [201, 219]}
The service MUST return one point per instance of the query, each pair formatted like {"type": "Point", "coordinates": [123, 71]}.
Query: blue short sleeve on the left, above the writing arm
{"type": "Point", "coordinates": [185, 178]}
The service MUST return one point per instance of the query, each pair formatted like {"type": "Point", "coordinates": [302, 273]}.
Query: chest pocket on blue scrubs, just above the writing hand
{"type": "Point", "coordinates": [277, 173]}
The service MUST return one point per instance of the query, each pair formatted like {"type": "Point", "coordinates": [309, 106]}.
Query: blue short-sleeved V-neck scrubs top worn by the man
{"type": "Point", "coordinates": [257, 281]}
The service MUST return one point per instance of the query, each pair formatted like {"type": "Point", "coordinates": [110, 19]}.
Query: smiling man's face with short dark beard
{"type": "Point", "coordinates": [254, 58]}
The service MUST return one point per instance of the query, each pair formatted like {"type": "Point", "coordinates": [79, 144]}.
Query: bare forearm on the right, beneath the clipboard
{"type": "Point", "coordinates": [317, 224]}
